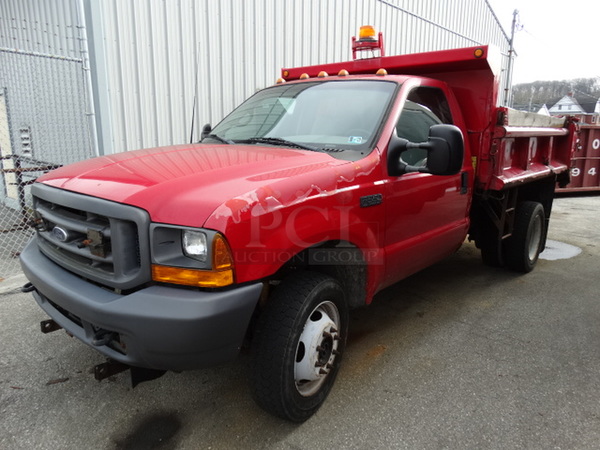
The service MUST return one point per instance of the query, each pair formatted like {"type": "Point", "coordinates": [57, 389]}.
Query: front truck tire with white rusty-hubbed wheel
{"type": "Point", "coordinates": [298, 345]}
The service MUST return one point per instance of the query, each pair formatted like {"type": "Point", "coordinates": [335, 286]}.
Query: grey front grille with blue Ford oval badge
{"type": "Point", "coordinates": [100, 240]}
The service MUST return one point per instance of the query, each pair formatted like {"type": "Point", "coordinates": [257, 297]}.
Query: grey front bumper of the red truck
{"type": "Point", "coordinates": [158, 327]}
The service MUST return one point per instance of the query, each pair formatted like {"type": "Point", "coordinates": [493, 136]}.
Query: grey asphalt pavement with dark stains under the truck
{"type": "Point", "coordinates": [459, 356]}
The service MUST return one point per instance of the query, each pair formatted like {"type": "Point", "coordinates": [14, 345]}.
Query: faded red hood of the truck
{"type": "Point", "coordinates": [184, 184]}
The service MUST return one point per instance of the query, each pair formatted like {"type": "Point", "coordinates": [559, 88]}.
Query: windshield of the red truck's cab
{"type": "Point", "coordinates": [332, 116]}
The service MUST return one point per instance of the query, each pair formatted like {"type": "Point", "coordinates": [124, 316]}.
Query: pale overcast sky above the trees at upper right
{"type": "Point", "coordinates": [558, 39]}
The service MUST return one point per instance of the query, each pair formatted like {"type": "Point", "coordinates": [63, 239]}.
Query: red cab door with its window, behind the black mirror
{"type": "Point", "coordinates": [426, 215]}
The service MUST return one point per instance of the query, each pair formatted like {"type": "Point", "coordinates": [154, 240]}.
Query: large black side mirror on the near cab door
{"type": "Point", "coordinates": [445, 152]}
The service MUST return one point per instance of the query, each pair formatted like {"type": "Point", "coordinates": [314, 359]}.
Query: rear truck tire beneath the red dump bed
{"type": "Point", "coordinates": [524, 246]}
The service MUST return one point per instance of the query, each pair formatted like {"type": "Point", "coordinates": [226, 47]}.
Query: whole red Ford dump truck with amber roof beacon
{"type": "Point", "coordinates": [303, 203]}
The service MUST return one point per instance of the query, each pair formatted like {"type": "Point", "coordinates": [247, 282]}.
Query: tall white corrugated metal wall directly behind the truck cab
{"type": "Point", "coordinates": [151, 57]}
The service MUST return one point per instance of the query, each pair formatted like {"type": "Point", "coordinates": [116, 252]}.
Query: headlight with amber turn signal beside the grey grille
{"type": "Point", "coordinates": [190, 256]}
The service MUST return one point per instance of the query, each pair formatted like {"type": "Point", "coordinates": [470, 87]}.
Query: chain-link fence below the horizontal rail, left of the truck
{"type": "Point", "coordinates": [43, 125]}
